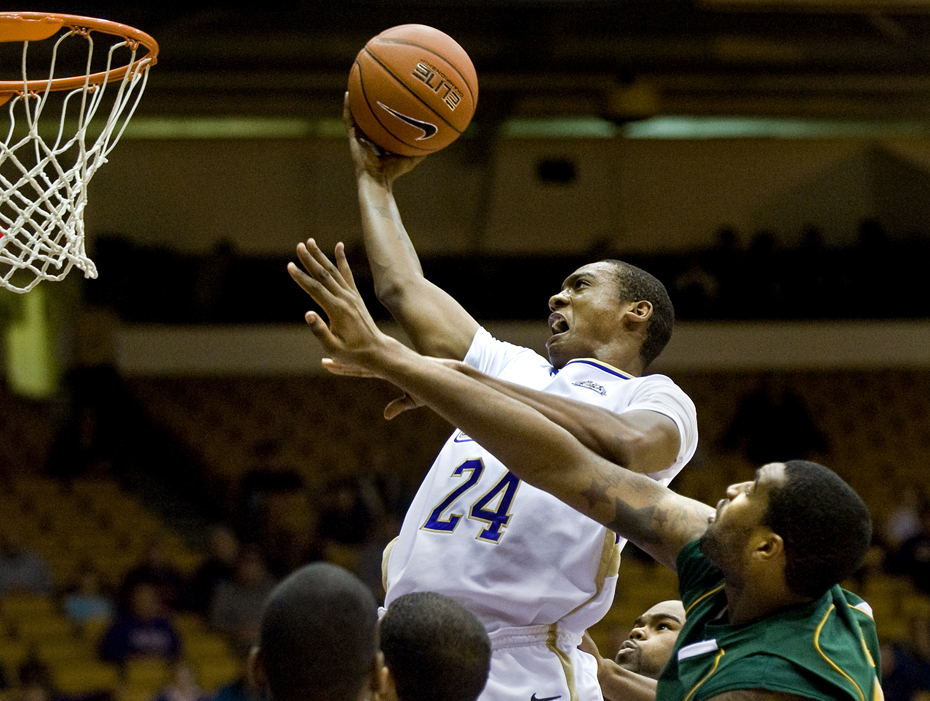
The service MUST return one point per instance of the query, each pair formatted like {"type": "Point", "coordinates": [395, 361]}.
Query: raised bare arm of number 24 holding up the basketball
{"type": "Point", "coordinates": [435, 322]}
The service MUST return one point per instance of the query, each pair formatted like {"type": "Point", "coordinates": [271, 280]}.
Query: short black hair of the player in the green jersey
{"type": "Point", "coordinates": [824, 524]}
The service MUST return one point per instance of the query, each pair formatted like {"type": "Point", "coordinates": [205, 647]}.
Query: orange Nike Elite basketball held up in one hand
{"type": "Point", "coordinates": [412, 90]}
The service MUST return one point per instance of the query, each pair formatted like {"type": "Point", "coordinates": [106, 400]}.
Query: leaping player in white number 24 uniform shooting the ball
{"type": "Point", "coordinates": [536, 572]}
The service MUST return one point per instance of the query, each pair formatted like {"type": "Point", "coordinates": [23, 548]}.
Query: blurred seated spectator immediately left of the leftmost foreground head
{"type": "Point", "coordinates": [237, 605]}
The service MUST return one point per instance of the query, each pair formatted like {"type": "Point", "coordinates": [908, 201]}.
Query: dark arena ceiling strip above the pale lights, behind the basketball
{"type": "Point", "coordinates": [623, 60]}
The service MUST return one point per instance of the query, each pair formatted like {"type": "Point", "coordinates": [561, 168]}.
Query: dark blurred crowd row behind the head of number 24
{"type": "Point", "coordinates": [741, 276]}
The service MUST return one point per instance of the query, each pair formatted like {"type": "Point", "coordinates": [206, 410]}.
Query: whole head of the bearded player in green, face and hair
{"type": "Point", "coordinates": [798, 514]}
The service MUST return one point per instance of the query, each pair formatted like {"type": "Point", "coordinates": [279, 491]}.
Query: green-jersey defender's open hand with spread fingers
{"type": "Point", "coordinates": [351, 337]}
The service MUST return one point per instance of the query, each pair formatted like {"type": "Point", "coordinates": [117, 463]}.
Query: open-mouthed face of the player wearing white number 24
{"type": "Point", "coordinates": [587, 315]}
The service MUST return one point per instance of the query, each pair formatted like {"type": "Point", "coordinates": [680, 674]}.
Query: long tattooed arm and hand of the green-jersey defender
{"type": "Point", "coordinates": [533, 447]}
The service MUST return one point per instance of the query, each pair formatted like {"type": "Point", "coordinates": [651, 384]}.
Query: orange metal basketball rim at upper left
{"type": "Point", "coordinates": [36, 26]}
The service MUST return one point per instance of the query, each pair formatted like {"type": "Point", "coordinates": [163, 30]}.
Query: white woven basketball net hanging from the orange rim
{"type": "Point", "coordinates": [48, 157]}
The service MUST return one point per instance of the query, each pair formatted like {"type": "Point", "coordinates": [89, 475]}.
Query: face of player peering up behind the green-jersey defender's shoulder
{"type": "Point", "coordinates": [652, 639]}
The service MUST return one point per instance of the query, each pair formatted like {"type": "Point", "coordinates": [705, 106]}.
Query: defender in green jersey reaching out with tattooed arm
{"type": "Point", "coordinates": [759, 575]}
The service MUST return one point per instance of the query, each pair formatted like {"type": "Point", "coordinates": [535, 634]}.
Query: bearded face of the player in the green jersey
{"type": "Point", "coordinates": [739, 515]}
